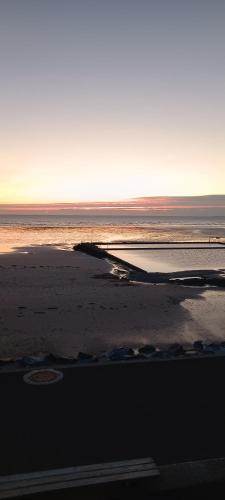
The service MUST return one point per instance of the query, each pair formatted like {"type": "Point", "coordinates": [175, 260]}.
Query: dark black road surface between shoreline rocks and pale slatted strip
{"type": "Point", "coordinates": [173, 411]}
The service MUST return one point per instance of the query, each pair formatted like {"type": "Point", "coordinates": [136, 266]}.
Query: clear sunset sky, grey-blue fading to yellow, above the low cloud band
{"type": "Point", "coordinates": [105, 100]}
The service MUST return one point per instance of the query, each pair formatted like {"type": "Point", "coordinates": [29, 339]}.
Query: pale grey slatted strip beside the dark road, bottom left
{"type": "Point", "coordinates": [17, 485]}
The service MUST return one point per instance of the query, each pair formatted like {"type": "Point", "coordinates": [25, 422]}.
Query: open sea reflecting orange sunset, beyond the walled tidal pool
{"type": "Point", "coordinates": [22, 231]}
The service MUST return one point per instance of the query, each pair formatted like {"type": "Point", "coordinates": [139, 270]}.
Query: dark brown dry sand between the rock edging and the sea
{"type": "Point", "coordinates": [63, 302]}
